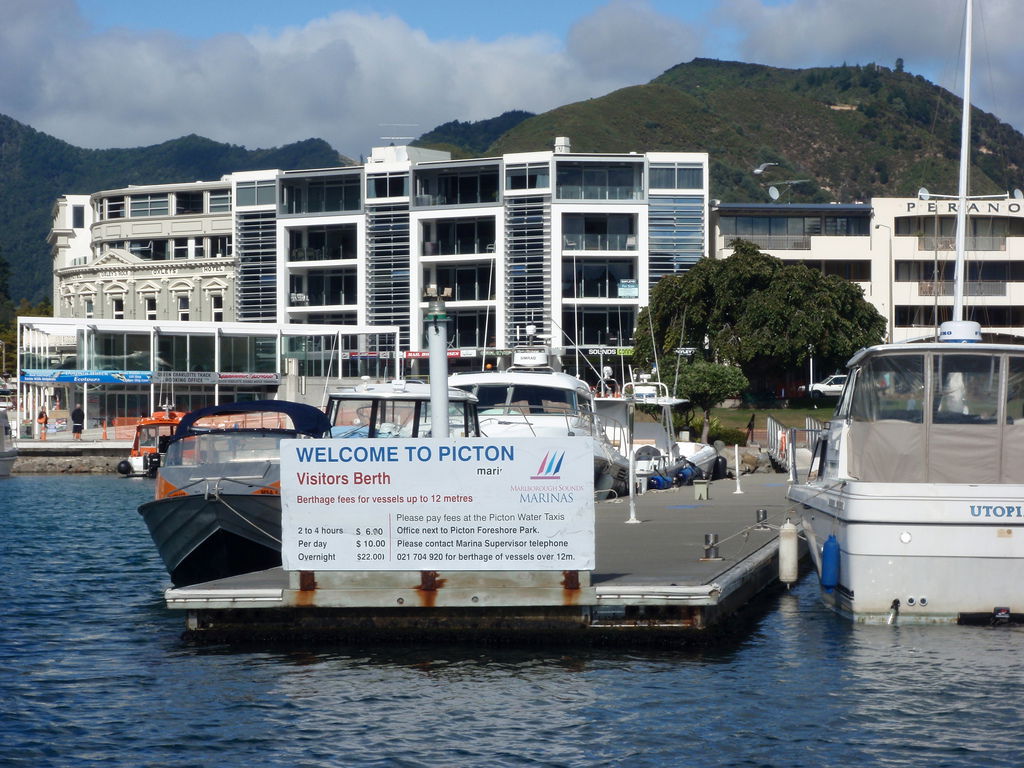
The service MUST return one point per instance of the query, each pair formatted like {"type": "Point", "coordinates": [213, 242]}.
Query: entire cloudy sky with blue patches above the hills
{"type": "Point", "coordinates": [265, 73]}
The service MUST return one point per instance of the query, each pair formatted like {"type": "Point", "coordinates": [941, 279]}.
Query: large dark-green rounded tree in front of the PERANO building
{"type": "Point", "coordinates": [758, 313]}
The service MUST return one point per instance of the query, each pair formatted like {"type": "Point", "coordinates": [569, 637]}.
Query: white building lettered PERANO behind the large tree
{"type": "Point", "coordinates": [902, 252]}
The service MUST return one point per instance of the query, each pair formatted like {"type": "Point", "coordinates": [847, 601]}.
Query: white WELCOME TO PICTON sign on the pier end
{"type": "Point", "coordinates": [481, 504]}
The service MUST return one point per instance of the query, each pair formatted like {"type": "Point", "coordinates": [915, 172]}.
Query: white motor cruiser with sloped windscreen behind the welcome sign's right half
{"type": "Point", "coordinates": [532, 400]}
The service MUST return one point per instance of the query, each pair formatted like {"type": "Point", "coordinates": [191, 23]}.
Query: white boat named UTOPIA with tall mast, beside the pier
{"type": "Point", "coordinates": [914, 506]}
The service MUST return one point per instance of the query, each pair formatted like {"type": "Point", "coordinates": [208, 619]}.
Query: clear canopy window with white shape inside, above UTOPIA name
{"type": "Point", "coordinates": [965, 389]}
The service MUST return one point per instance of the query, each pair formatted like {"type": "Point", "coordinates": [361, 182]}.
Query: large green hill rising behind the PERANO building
{"type": "Point", "coordinates": [855, 132]}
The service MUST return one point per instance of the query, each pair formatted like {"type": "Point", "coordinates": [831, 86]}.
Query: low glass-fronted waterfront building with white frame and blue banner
{"type": "Point", "coordinates": [119, 371]}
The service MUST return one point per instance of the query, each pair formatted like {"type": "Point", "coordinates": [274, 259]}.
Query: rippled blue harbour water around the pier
{"type": "Point", "coordinates": [93, 673]}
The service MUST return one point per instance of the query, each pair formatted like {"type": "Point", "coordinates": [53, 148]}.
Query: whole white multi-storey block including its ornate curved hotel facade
{"type": "Point", "coordinates": [565, 244]}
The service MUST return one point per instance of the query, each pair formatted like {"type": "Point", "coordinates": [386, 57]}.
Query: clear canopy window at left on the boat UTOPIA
{"type": "Point", "coordinates": [890, 388]}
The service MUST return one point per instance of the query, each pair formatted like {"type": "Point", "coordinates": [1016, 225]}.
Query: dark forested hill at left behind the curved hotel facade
{"type": "Point", "coordinates": [35, 169]}
